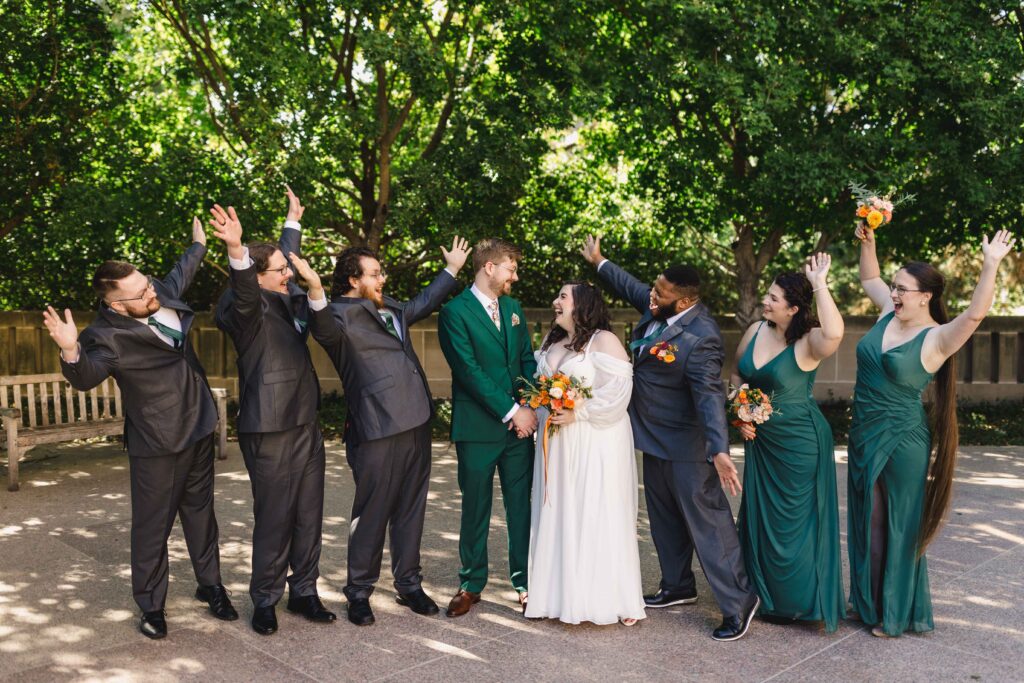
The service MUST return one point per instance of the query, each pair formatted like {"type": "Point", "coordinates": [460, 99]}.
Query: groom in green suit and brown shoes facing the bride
{"type": "Point", "coordinates": [486, 340]}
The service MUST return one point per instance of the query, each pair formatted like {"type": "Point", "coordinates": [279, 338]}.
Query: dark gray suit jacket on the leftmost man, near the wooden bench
{"type": "Point", "coordinates": [167, 402]}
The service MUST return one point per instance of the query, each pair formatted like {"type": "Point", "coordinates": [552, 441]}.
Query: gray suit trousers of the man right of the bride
{"type": "Point", "coordinates": [689, 511]}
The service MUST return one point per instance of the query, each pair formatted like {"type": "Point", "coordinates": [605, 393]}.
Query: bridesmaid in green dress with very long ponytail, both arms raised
{"type": "Point", "coordinates": [899, 490]}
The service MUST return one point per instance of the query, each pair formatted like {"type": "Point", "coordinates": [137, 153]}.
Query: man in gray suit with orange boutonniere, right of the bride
{"type": "Point", "coordinates": [679, 423]}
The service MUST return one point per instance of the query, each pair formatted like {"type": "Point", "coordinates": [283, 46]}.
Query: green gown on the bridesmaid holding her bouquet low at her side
{"type": "Point", "coordinates": [789, 519]}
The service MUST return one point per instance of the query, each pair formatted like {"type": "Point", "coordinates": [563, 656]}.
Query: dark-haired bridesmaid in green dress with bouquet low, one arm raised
{"type": "Point", "coordinates": [789, 519]}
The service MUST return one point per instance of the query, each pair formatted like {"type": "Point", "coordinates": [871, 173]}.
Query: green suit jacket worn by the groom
{"type": "Point", "coordinates": [487, 364]}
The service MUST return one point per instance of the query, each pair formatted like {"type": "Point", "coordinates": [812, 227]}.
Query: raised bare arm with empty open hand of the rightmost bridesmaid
{"type": "Point", "coordinates": [949, 338]}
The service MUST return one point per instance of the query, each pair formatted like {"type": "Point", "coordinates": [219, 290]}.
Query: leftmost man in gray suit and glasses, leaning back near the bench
{"type": "Point", "coordinates": [141, 337]}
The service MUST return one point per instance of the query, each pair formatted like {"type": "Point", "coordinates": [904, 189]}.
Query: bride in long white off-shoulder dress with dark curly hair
{"type": "Point", "coordinates": [584, 558]}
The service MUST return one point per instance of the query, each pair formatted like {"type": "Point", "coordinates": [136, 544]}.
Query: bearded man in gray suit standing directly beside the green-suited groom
{"type": "Point", "coordinates": [388, 432]}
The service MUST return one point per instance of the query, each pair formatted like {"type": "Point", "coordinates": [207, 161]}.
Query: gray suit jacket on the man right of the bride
{"type": "Point", "coordinates": [678, 409]}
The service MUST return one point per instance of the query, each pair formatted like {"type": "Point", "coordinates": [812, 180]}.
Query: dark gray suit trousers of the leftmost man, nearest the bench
{"type": "Point", "coordinates": [163, 488]}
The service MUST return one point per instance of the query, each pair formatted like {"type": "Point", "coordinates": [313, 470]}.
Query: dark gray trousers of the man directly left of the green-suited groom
{"type": "Point", "coordinates": [393, 476]}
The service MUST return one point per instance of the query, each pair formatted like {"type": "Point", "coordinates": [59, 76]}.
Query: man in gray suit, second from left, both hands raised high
{"type": "Point", "coordinates": [267, 316]}
